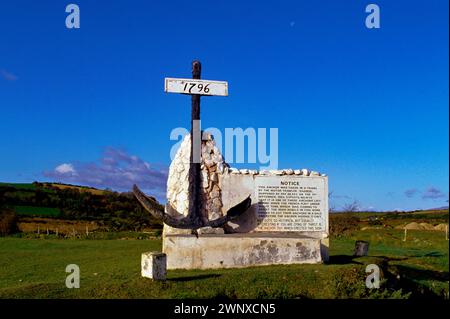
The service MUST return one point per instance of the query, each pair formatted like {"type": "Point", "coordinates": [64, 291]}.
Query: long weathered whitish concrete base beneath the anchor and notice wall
{"type": "Point", "coordinates": [211, 251]}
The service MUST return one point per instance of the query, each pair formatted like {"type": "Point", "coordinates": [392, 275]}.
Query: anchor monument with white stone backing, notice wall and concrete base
{"type": "Point", "coordinates": [221, 217]}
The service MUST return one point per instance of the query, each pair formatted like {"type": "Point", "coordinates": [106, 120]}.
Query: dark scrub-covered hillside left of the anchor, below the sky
{"type": "Point", "coordinates": [117, 211]}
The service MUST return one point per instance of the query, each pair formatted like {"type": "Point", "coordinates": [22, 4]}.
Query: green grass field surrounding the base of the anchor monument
{"type": "Point", "coordinates": [417, 268]}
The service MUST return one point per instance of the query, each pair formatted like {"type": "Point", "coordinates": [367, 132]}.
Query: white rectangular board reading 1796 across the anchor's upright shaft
{"type": "Point", "coordinates": [200, 87]}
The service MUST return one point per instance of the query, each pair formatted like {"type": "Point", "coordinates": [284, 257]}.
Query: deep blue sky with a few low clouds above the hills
{"type": "Point", "coordinates": [368, 107]}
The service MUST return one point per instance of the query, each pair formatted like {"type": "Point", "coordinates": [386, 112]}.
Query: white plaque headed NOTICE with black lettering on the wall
{"type": "Point", "coordinates": [292, 203]}
